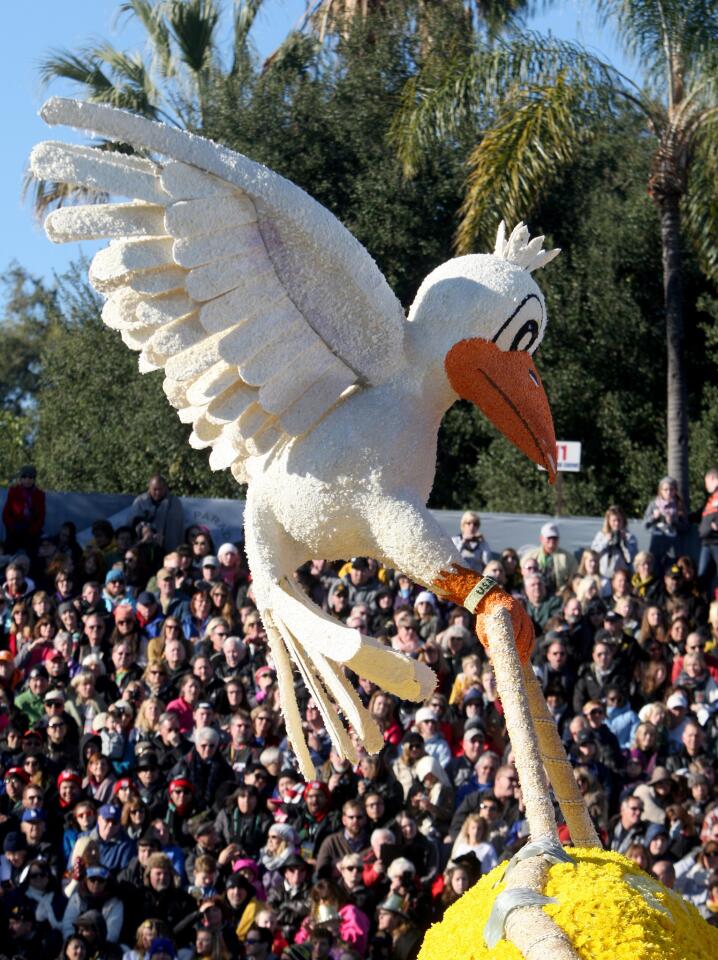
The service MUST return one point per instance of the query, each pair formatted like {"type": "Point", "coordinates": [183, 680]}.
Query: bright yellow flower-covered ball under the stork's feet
{"type": "Point", "coordinates": [609, 908]}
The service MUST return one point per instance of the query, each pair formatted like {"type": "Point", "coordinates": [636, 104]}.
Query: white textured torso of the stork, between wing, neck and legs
{"type": "Point", "coordinates": [366, 471]}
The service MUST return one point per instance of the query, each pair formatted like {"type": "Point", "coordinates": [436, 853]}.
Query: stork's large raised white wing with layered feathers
{"type": "Point", "coordinates": [260, 306]}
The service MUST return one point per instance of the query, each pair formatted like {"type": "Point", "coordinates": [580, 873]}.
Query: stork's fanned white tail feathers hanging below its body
{"type": "Point", "coordinates": [320, 647]}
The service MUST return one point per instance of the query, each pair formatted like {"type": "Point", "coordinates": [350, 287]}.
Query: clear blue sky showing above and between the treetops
{"type": "Point", "coordinates": [35, 27]}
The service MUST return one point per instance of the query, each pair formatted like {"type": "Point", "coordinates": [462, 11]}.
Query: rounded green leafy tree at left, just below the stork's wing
{"type": "Point", "coordinates": [100, 424]}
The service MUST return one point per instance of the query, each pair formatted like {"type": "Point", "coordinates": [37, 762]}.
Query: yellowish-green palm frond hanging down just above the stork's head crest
{"type": "Point", "coordinates": [533, 138]}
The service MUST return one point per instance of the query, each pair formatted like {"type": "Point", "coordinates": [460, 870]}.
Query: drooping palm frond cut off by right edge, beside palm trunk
{"type": "Point", "coordinates": [700, 203]}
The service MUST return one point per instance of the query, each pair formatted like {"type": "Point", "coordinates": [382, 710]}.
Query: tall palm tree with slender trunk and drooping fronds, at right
{"type": "Point", "coordinates": [544, 99]}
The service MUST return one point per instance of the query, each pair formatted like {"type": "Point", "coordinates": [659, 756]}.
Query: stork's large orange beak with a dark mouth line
{"type": "Point", "coordinates": [506, 387]}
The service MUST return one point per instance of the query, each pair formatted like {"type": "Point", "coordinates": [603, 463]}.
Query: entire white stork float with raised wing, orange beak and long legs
{"type": "Point", "coordinates": [284, 347]}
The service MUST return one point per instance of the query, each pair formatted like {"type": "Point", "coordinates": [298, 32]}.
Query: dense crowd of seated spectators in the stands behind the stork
{"type": "Point", "coordinates": [151, 805]}
